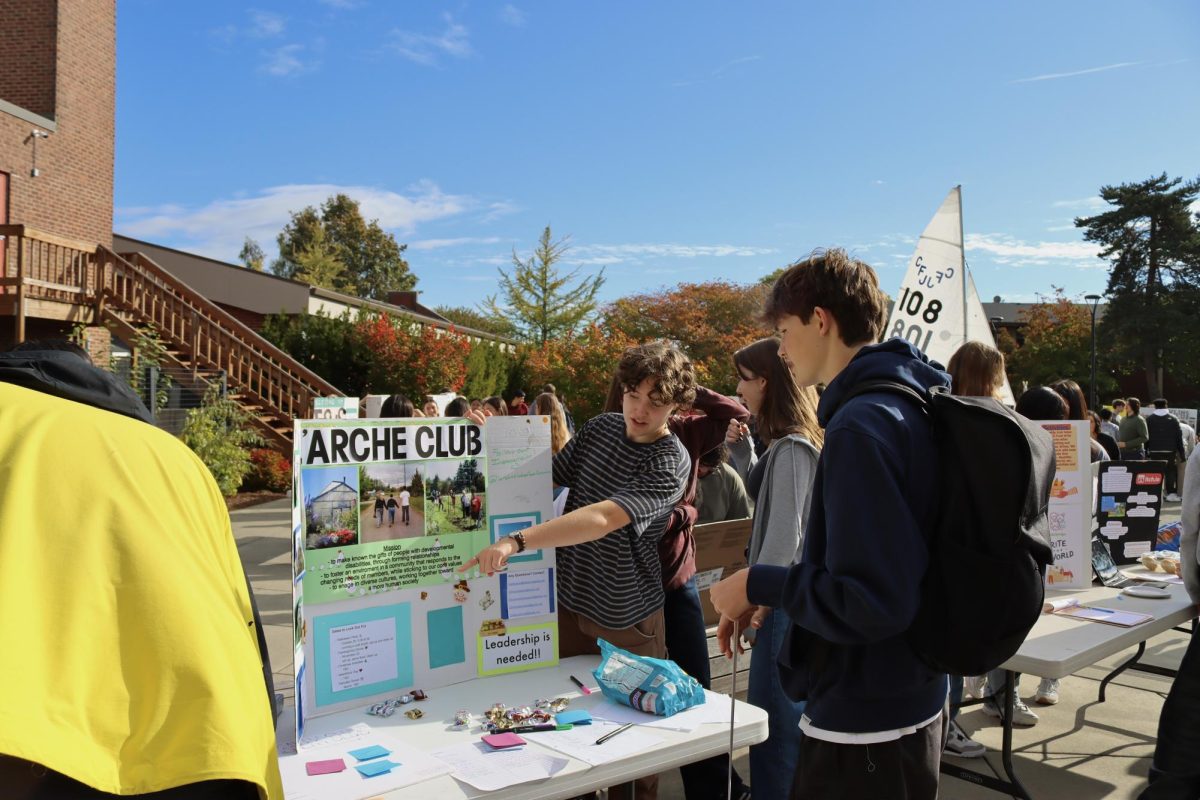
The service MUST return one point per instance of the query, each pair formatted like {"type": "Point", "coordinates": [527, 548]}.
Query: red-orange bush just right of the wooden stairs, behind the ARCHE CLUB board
{"type": "Point", "coordinates": [410, 359]}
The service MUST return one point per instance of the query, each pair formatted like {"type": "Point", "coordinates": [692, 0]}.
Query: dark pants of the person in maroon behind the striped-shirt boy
{"type": "Point", "coordinates": [688, 647]}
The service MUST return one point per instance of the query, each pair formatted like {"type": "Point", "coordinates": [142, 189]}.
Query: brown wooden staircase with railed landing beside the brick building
{"type": "Point", "coordinates": [43, 275]}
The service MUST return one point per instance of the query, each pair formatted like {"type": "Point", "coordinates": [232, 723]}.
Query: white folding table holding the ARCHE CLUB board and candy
{"type": "Point", "coordinates": [434, 732]}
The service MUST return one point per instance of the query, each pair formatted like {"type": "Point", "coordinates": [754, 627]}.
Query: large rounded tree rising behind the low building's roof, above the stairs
{"type": "Point", "coordinates": [353, 256]}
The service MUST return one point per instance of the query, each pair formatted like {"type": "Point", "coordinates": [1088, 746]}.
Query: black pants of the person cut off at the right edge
{"type": "Point", "coordinates": [1175, 772]}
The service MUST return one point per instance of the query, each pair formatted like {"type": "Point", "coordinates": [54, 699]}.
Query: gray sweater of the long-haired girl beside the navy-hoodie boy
{"type": "Point", "coordinates": [782, 509]}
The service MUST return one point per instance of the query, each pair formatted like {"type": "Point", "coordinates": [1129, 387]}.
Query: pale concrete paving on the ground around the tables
{"type": "Point", "coordinates": [1079, 749]}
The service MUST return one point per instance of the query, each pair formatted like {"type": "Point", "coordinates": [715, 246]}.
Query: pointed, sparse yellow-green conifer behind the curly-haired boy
{"type": "Point", "coordinates": [538, 302]}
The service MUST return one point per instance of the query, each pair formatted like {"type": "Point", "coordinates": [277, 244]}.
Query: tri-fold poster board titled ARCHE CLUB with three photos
{"type": "Point", "coordinates": [385, 514]}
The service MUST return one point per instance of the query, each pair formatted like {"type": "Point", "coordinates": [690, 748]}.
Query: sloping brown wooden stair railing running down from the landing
{"type": "Point", "coordinates": [143, 293]}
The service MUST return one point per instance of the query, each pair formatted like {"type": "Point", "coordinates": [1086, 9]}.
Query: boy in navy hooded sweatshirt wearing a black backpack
{"type": "Point", "coordinates": [877, 717]}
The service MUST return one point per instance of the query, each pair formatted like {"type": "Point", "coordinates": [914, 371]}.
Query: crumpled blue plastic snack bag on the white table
{"type": "Point", "coordinates": [652, 685]}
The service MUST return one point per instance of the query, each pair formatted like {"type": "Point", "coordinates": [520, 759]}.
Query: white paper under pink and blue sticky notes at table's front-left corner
{"type": "Point", "coordinates": [415, 768]}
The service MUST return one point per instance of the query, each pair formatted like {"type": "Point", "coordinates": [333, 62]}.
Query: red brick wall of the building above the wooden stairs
{"type": "Point", "coordinates": [74, 195]}
